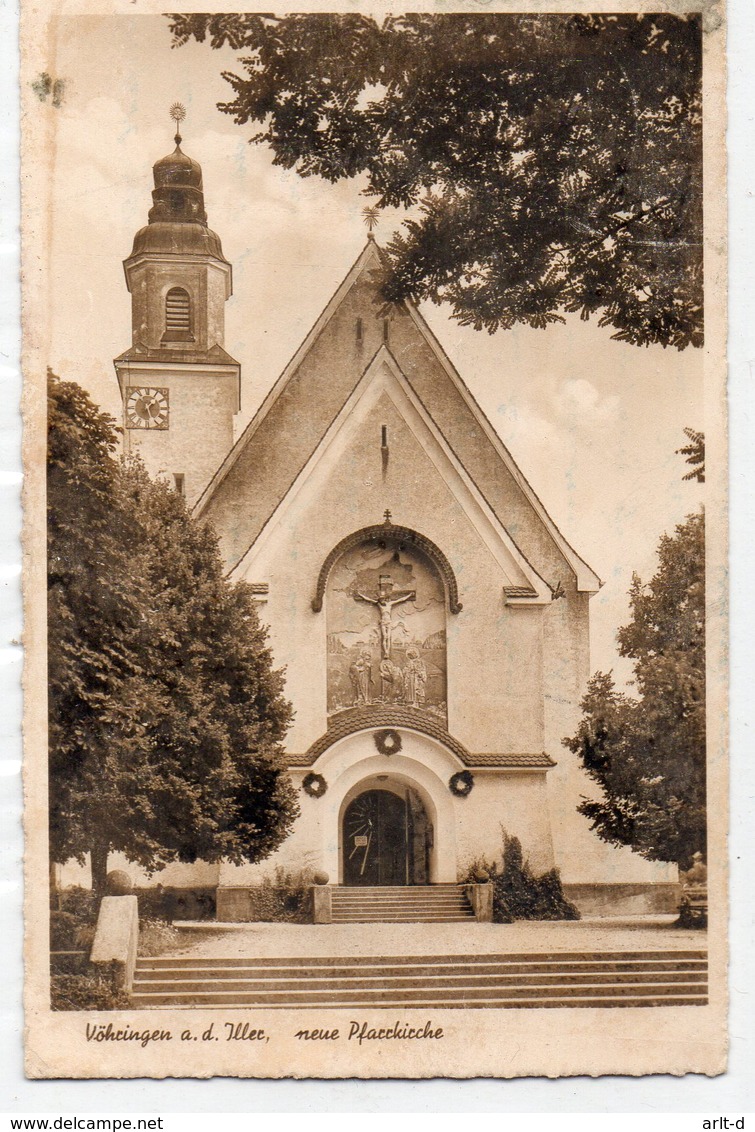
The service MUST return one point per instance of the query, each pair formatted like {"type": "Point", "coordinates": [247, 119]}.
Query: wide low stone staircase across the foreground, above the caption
{"type": "Point", "coordinates": [624, 979]}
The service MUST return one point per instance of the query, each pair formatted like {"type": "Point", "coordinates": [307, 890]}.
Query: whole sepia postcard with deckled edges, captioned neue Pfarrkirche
{"type": "Point", "coordinates": [375, 556]}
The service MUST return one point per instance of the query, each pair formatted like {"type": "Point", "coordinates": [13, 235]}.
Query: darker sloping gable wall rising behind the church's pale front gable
{"type": "Point", "coordinates": [295, 418]}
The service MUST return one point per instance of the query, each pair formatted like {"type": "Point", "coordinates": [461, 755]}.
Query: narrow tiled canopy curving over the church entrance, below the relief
{"type": "Point", "coordinates": [364, 719]}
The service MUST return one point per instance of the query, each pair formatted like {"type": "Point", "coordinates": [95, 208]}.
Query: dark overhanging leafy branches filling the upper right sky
{"type": "Point", "coordinates": [554, 161]}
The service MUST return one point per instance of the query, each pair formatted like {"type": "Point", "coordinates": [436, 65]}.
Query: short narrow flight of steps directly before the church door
{"type": "Point", "coordinates": [433, 903]}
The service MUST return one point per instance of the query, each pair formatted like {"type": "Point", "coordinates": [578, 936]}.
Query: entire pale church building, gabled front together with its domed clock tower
{"type": "Point", "coordinates": [432, 619]}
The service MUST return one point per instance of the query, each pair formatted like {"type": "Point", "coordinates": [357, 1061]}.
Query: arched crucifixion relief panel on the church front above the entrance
{"type": "Point", "coordinates": [385, 612]}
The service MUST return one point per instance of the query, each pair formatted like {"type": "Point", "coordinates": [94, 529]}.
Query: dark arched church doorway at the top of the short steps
{"type": "Point", "coordinates": [387, 839]}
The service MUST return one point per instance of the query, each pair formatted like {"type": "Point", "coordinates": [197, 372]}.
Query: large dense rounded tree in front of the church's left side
{"type": "Point", "coordinates": [166, 713]}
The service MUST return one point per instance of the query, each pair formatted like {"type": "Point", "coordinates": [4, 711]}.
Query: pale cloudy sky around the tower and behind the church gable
{"type": "Point", "coordinates": [594, 424]}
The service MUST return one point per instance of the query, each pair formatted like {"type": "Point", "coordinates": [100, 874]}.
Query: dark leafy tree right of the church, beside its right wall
{"type": "Point", "coordinates": [648, 754]}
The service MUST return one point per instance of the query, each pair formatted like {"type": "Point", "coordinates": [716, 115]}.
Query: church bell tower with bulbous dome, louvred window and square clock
{"type": "Point", "coordinates": [179, 388]}
